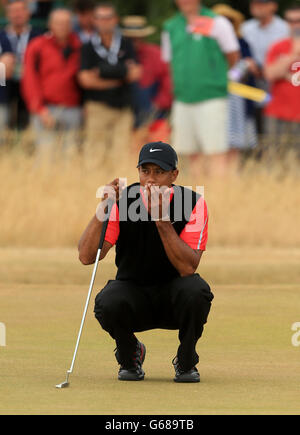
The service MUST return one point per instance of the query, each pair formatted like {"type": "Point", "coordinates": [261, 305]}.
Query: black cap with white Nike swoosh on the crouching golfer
{"type": "Point", "coordinates": [160, 154]}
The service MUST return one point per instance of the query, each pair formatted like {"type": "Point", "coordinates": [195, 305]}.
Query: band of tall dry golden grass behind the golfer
{"type": "Point", "coordinates": [50, 206]}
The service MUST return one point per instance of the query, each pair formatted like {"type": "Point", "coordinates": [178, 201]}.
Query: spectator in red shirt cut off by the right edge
{"type": "Point", "coordinates": [283, 71]}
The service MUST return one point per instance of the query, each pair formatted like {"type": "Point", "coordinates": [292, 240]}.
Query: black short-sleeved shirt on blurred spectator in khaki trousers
{"type": "Point", "coordinates": [117, 97]}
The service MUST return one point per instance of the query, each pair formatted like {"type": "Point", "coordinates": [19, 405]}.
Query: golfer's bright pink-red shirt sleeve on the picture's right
{"type": "Point", "coordinates": [195, 234]}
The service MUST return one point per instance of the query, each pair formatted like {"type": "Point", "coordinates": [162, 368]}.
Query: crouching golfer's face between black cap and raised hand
{"type": "Point", "coordinates": [153, 175]}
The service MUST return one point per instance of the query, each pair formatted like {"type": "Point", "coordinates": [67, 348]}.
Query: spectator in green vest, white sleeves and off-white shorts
{"type": "Point", "coordinates": [201, 47]}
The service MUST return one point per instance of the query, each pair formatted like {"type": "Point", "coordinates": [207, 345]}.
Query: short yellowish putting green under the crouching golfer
{"type": "Point", "coordinates": [247, 362]}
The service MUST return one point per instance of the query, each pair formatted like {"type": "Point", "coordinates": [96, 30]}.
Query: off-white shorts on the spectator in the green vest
{"type": "Point", "coordinates": [200, 128]}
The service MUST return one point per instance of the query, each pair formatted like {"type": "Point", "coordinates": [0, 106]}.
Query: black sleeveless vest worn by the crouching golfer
{"type": "Point", "coordinates": [140, 254]}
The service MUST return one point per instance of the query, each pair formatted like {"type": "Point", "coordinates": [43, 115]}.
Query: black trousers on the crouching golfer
{"type": "Point", "coordinates": [123, 308]}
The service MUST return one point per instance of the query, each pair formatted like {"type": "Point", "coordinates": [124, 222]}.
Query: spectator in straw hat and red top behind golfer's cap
{"type": "Point", "coordinates": [152, 96]}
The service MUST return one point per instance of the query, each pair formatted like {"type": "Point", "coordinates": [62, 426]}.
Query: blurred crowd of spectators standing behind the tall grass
{"type": "Point", "coordinates": [92, 72]}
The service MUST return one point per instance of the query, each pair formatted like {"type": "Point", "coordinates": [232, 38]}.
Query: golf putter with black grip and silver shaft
{"type": "Point", "coordinates": [66, 384]}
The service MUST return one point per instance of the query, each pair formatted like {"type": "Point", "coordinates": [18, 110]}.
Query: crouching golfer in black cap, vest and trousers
{"type": "Point", "coordinates": [160, 233]}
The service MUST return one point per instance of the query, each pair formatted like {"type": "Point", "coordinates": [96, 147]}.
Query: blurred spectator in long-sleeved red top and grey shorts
{"type": "Point", "coordinates": [50, 86]}
